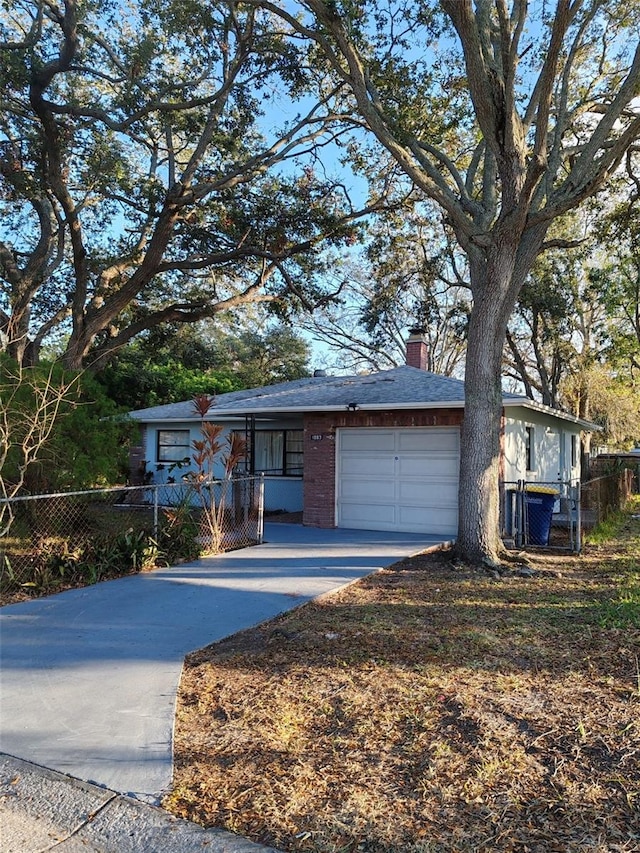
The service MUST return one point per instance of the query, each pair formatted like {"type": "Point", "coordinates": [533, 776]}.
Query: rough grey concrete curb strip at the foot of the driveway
{"type": "Point", "coordinates": [42, 810]}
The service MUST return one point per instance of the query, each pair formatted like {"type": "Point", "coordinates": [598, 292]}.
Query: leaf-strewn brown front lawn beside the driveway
{"type": "Point", "coordinates": [429, 707]}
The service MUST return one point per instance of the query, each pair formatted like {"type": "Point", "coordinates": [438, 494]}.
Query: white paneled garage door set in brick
{"type": "Point", "coordinates": [398, 479]}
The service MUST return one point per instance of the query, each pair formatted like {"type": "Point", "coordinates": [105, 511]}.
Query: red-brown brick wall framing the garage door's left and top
{"type": "Point", "coordinates": [319, 487]}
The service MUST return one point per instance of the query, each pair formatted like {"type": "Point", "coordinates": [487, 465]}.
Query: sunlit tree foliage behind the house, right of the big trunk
{"type": "Point", "coordinates": [563, 342]}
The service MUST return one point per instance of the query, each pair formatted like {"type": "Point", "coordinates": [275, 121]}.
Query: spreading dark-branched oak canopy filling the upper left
{"type": "Point", "coordinates": [148, 171]}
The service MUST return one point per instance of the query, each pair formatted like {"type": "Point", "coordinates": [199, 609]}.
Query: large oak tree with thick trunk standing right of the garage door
{"type": "Point", "coordinates": [508, 115]}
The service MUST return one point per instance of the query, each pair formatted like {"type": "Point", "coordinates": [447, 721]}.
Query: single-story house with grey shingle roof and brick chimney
{"type": "Point", "coordinates": [378, 451]}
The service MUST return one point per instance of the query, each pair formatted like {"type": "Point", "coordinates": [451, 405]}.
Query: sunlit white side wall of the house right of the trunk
{"type": "Point", "coordinates": [540, 448]}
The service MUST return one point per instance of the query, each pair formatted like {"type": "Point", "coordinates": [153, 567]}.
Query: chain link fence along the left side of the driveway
{"type": "Point", "coordinates": [55, 541]}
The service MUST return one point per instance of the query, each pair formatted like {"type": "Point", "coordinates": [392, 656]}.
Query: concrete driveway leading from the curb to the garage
{"type": "Point", "coordinates": [89, 676]}
